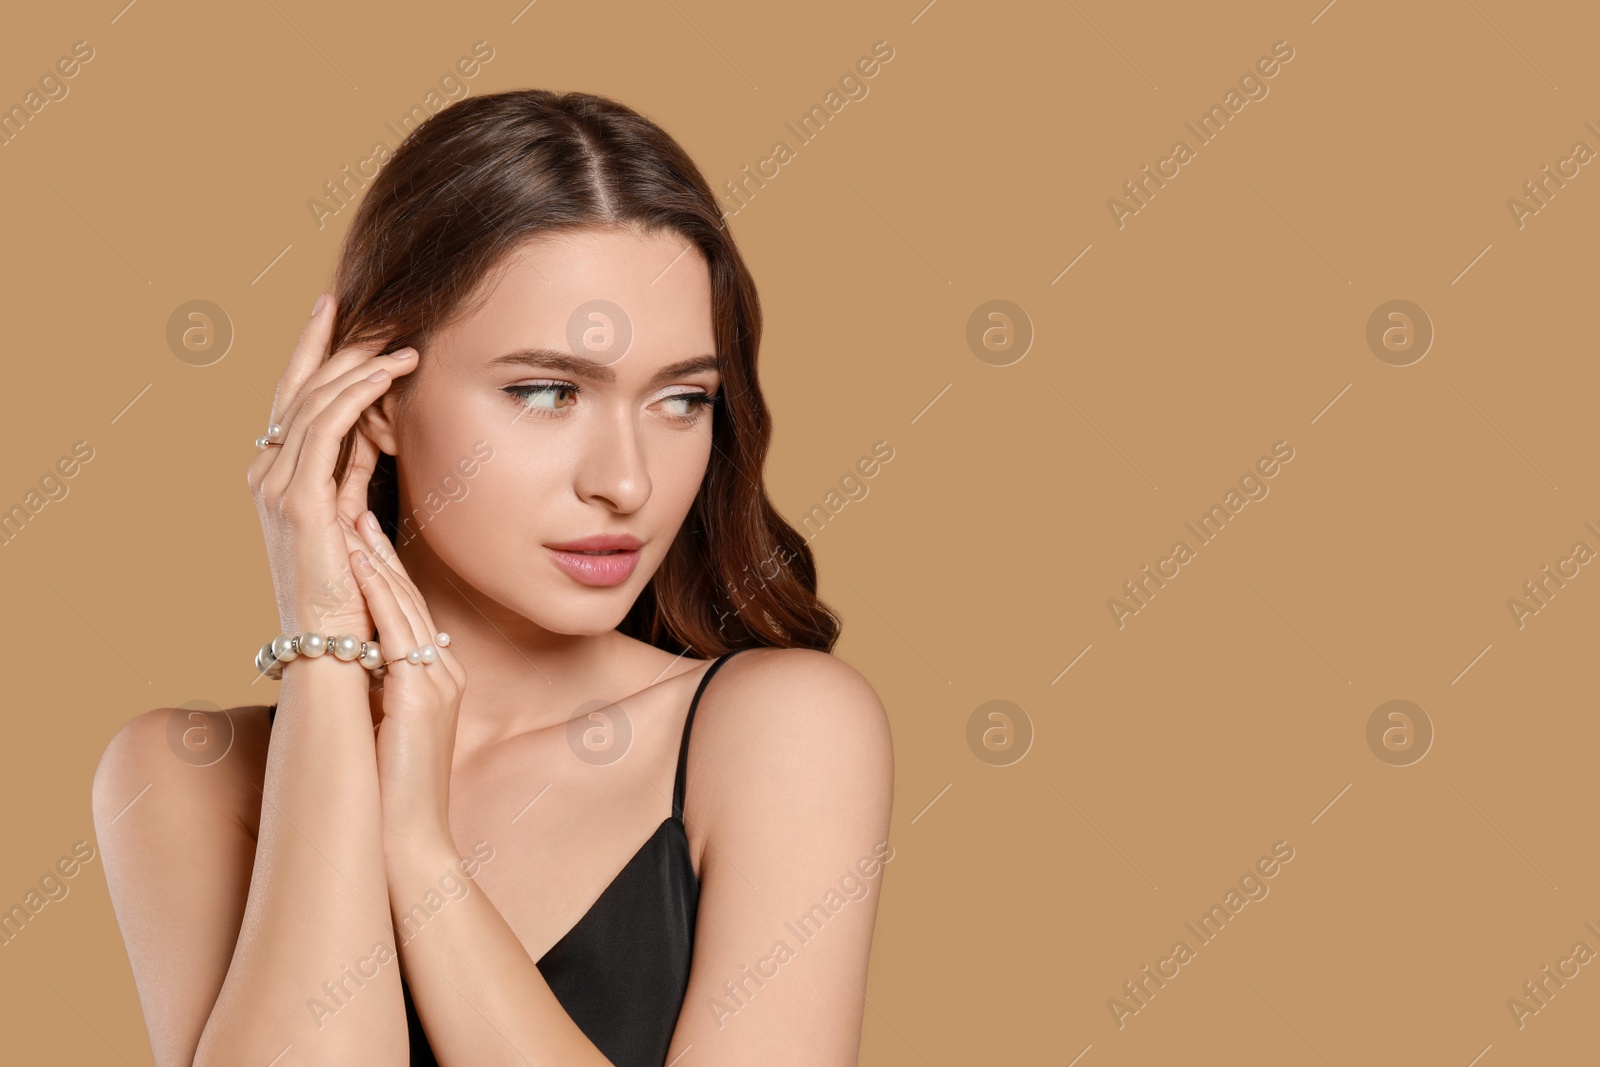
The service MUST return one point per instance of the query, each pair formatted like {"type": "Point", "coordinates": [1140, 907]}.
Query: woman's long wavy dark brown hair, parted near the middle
{"type": "Point", "coordinates": [486, 175]}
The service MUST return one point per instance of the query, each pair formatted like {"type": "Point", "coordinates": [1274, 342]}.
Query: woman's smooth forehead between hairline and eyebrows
{"type": "Point", "coordinates": [655, 292]}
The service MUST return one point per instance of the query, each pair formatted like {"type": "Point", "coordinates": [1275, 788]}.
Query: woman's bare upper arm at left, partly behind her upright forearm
{"type": "Point", "coordinates": [177, 855]}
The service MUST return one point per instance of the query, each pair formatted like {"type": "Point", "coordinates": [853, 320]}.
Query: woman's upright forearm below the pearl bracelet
{"type": "Point", "coordinates": [316, 924]}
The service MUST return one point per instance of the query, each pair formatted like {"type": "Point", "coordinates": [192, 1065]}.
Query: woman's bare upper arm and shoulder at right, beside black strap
{"type": "Point", "coordinates": [791, 783]}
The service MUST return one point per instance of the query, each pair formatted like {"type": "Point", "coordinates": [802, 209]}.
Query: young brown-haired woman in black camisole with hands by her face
{"type": "Point", "coordinates": [562, 769]}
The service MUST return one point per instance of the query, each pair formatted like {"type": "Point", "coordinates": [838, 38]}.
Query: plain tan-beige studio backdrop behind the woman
{"type": "Point", "coordinates": [1230, 314]}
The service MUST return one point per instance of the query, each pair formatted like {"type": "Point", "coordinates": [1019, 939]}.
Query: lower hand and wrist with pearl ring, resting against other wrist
{"type": "Point", "coordinates": [417, 737]}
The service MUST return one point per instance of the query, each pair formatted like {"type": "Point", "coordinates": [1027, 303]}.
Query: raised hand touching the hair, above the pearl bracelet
{"type": "Point", "coordinates": [308, 521]}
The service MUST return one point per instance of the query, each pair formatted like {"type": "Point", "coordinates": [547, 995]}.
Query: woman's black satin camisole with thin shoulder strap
{"type": "Point", "coordinates": [623, 969]}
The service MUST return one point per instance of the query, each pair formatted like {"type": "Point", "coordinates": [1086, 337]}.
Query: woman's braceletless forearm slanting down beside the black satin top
{"type": "Point", "coordinates": [478, 991]}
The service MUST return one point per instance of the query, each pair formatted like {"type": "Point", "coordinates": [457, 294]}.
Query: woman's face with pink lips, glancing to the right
{"type": "Point", "coordinates": [567, 407]}
